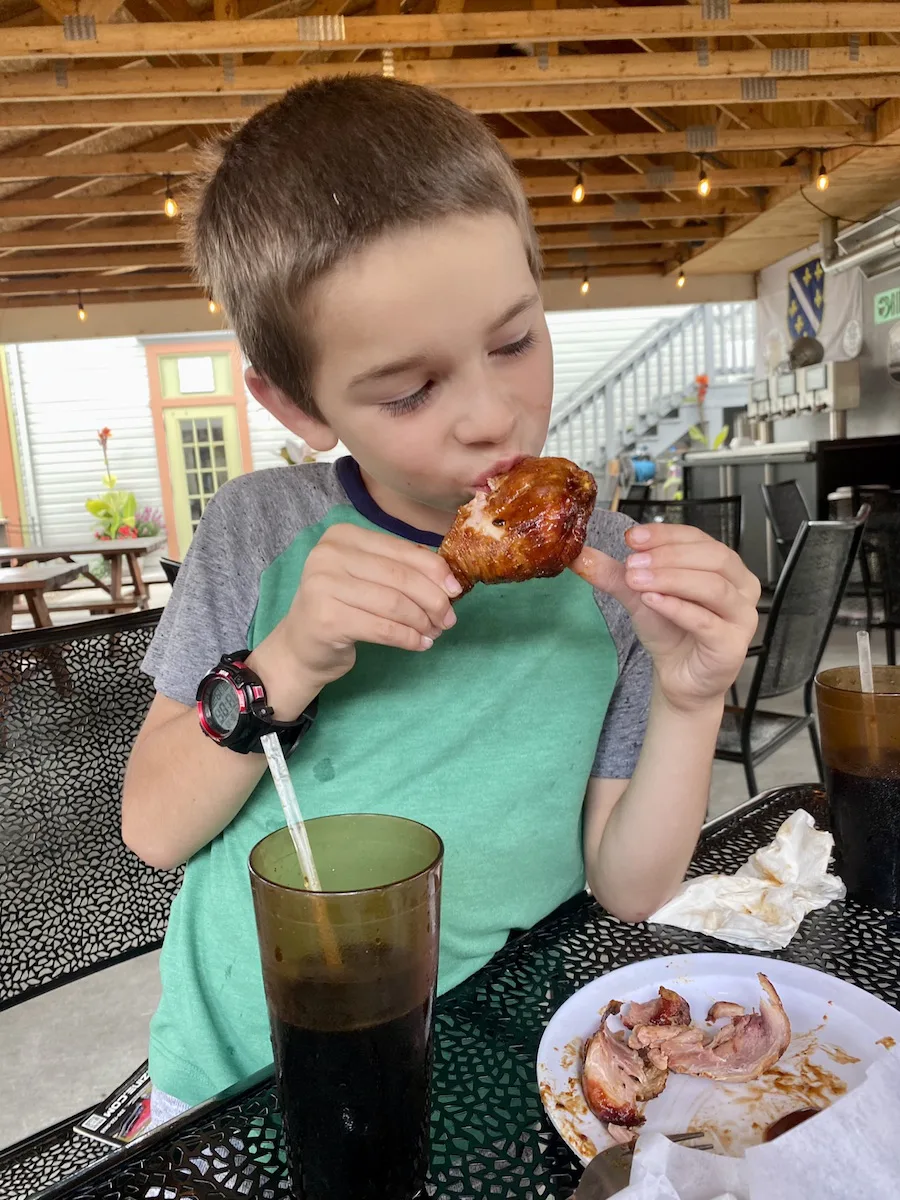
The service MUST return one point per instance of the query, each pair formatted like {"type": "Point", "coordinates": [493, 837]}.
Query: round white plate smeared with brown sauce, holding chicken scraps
{"type": "Point", "coordinates": [838, 1031]}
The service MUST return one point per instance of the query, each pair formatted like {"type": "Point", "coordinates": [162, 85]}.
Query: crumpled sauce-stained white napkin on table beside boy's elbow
{"type": "Point", "coordinates": [761, 907]}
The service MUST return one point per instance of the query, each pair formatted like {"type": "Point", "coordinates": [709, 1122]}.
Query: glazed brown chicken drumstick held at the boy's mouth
{"type": "Point", "coordinates": [530, 524]}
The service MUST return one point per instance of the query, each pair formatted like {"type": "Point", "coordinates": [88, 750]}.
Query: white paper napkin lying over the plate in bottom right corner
{"type": "Point", "coordinates": [849, 1150]}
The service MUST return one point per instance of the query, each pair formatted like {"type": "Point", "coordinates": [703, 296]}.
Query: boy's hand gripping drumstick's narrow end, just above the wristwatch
{"type": "Point", "coordinates": [358, 586]}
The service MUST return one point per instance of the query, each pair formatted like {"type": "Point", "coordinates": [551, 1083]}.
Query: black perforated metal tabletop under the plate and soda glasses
{"type": "Point", "coordinates": [490, 1135]}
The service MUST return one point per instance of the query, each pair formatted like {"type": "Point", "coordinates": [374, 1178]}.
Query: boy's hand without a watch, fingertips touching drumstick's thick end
{"type": "Point", "coordinates": [693, 604]}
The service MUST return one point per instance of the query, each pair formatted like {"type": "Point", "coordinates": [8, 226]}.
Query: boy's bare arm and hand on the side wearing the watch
{"type": "Point", "coordinates": [358, 586]}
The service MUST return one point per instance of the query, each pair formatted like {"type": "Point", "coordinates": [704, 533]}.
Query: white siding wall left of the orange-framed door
{"type": "Point", "coordinates": [71, 391]}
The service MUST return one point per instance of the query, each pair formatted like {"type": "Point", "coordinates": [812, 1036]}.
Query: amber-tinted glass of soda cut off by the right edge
{"type": "Point", "coordinates": [861, 747]}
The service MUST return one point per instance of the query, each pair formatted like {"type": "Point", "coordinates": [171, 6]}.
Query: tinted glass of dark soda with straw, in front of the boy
{"type": "Point", "coordinates": [351, 976]}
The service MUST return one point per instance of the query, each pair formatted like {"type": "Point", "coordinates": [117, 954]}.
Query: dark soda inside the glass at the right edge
{"type": "Point", "coordinates": [865, 812]}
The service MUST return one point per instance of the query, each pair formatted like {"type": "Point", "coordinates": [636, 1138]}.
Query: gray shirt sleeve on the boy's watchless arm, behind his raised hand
{"type": "Point", "coordinates": [626, 722]}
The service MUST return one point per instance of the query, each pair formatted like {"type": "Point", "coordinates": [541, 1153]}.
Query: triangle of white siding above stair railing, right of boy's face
{"type": "Point", "coordinates": [589, 339]}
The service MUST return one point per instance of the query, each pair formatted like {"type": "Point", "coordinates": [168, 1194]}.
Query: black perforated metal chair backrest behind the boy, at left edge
{"type": "Point", "coordinates": [73, 897]}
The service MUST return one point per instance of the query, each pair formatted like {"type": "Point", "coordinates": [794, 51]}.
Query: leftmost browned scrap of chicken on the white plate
{"type": "Point", "coordinates": [616, 1077]}
